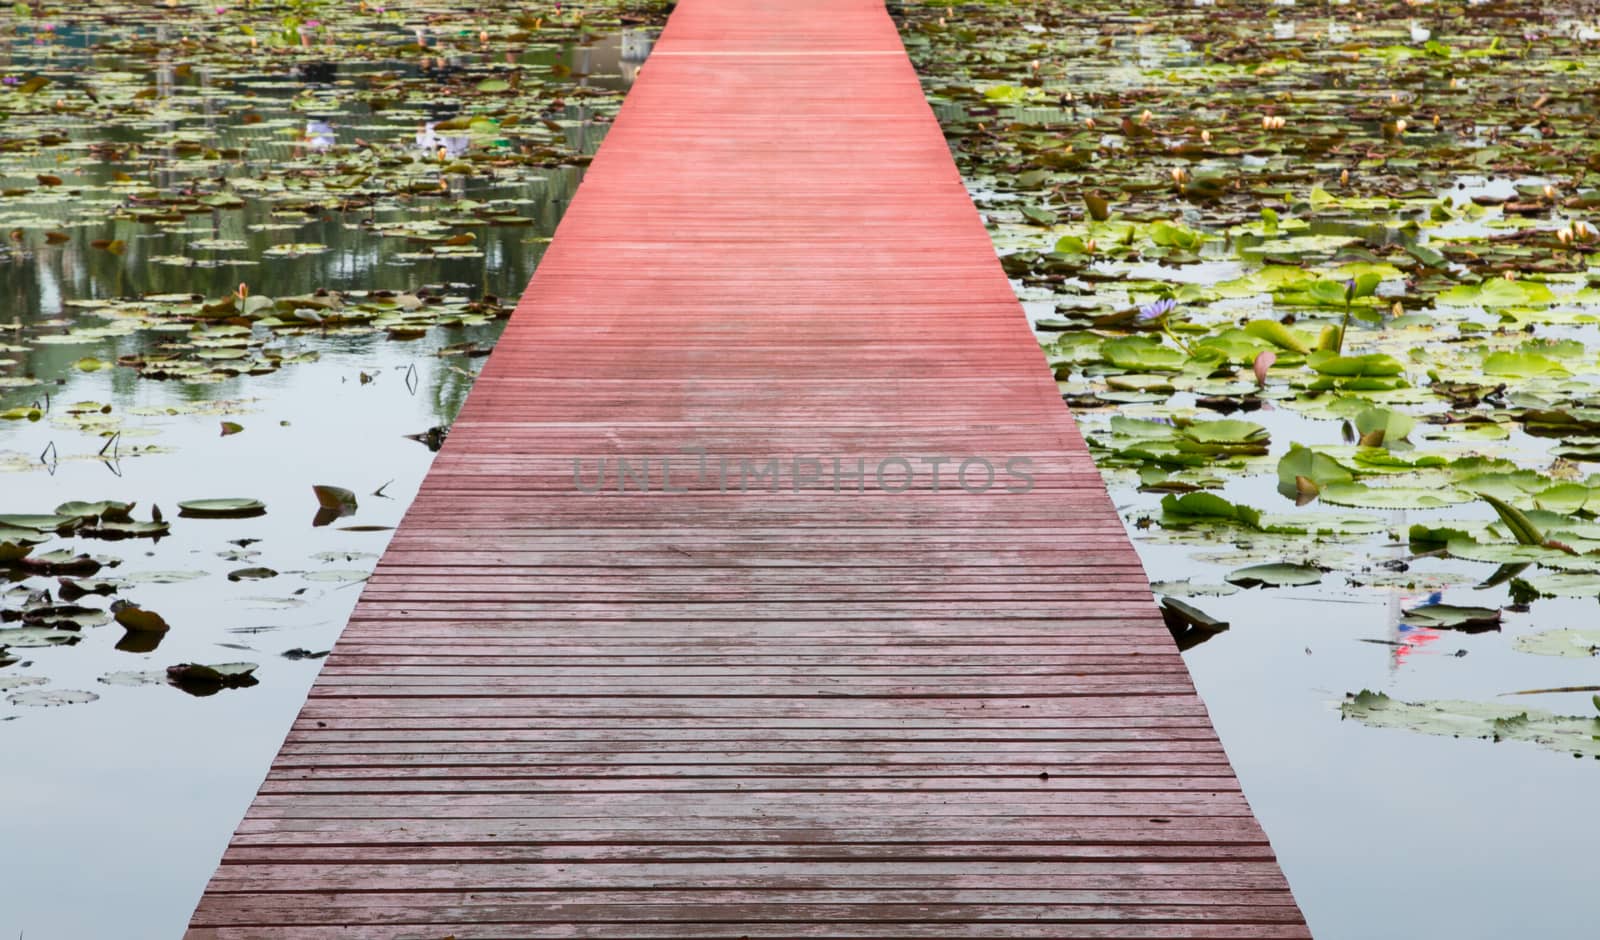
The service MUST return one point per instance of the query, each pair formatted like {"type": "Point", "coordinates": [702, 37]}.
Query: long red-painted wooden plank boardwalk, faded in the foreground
{"type": "Point", "coordinates": [758, 714]}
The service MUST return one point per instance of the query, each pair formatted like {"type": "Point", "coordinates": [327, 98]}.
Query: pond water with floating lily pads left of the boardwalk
{"type": "Point", "coordinates": [118, 810]}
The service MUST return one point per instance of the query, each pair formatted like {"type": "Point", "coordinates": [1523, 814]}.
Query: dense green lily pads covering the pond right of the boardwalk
{"type": "Point", "coordinates": [1303, 265]}
